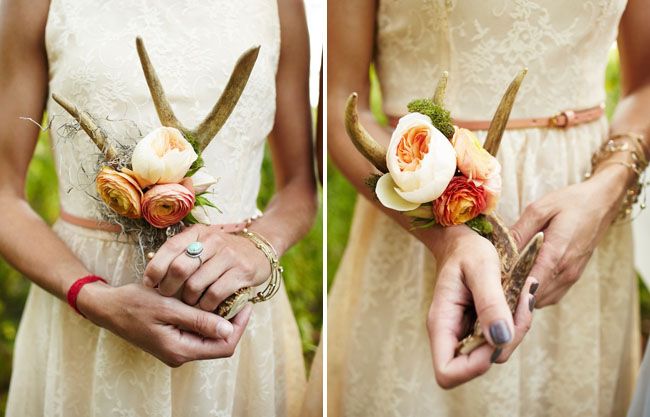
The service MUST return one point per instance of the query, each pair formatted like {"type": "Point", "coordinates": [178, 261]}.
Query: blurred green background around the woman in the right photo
{"type": "Point", "coordinates": [341, 195]}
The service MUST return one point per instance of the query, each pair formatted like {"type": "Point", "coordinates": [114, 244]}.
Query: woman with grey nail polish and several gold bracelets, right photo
{"type": "Point", "coordinates": [581, 354]}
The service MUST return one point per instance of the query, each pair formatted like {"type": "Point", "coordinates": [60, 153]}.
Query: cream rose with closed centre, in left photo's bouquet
{"type": "Point", "coordinates": [163, 156]}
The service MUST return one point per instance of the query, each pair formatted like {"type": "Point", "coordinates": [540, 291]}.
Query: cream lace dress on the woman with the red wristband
{"type": "Point", "coordinates": [66, 366]}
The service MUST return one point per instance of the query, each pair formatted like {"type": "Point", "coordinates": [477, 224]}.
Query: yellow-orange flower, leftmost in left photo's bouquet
{"type": "Point", "coordinates": [120, 192]}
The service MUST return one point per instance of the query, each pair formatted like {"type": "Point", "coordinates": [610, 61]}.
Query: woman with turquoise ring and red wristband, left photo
{"type": "Point", "coordinates": [69, 365]}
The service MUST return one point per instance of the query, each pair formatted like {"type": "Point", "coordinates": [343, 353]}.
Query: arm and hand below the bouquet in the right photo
{"type": "Point", "coordinates": [468, 265]}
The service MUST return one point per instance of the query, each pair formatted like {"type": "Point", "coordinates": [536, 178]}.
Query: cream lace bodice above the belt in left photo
{"type": "Point", "coordinates": [193, 45]}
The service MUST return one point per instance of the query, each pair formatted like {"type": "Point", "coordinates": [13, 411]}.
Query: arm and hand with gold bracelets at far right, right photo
{"type": "Point", "coordinates": [573, 229]}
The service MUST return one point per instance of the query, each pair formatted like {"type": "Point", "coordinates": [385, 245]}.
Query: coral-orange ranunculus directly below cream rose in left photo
{"type": "Point", "coordinates": [166, 204]}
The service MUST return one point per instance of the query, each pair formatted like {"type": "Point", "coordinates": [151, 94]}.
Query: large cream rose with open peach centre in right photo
{"type": "Point", "coordinates": [421, 162]}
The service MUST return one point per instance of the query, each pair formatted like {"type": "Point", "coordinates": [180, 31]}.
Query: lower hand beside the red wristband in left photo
{"type": "Point", "coordinates": [165, 327]}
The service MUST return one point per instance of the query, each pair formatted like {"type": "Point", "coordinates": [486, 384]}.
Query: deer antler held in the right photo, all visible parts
{"type": "Point", "coordinates": [515, 265]}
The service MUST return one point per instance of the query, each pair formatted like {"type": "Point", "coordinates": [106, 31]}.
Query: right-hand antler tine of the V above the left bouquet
{"type": "Point", "coordinates": [214, 121]}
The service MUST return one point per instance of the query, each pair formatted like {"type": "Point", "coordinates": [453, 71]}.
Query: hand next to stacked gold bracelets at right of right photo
{"type": "Point", "coordinates": [574, 220]}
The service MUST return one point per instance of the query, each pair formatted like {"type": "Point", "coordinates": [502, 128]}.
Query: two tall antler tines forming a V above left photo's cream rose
{"type": "Point", "coordinates": [217, 117]}
